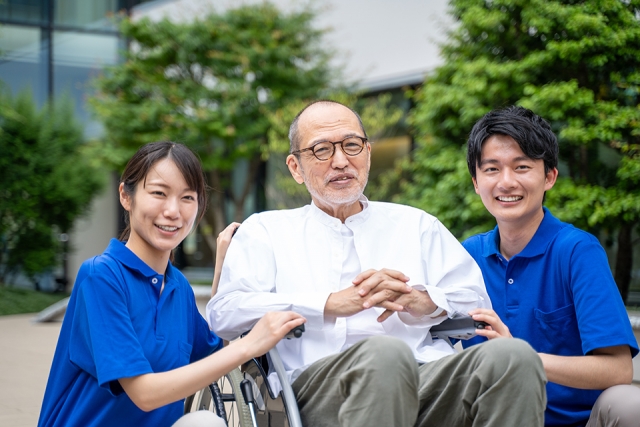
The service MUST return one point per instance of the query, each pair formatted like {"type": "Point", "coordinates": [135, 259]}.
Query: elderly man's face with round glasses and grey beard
{"type": "Point", "coordinates": [336, 183]}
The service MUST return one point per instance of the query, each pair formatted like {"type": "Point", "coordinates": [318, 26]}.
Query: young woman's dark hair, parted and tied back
{"type": "Point", "coordinates": [148, 155]}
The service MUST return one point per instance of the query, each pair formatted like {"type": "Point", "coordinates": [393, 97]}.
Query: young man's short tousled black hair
{"type": "Point", "coordinates": [532, 133]}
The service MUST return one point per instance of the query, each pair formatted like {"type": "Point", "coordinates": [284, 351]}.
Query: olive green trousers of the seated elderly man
{"type": "Point", "coordinates": [377, 382]}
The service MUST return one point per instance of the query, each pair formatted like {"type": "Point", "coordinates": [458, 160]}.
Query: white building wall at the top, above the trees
{"type": "Point", "coordinates": [376, 40]}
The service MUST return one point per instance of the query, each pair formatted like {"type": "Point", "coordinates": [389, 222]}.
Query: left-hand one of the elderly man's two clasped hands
{"type": "Point", "coordinates": [371, 288]}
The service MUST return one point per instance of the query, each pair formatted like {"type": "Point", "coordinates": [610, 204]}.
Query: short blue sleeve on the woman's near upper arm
{"type": "Point", "coordinates": [103, 340]}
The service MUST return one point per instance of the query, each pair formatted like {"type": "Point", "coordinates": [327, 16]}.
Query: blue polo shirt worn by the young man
{"type": "Point", "coordinates": [558, 294]}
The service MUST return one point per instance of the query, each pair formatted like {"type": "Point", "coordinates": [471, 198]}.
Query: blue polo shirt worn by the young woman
{"type": "Point", "coordinates": [118, 325]}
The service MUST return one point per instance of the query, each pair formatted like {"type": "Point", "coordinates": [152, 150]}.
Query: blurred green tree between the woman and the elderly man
{"type": "Point", "coordinates": [212, 84]}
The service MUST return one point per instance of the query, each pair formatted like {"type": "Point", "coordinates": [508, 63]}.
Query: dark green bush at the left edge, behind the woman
{"type": "Point", "coordinates": [47, 182]}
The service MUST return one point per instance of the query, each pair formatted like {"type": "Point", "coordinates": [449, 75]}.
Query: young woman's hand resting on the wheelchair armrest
{"type": "Point", "coordinates": [270, 330]}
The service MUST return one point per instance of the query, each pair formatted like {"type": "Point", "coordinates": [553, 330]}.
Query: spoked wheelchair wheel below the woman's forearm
{"type": "Point", "coordinates": [220, 397]}
